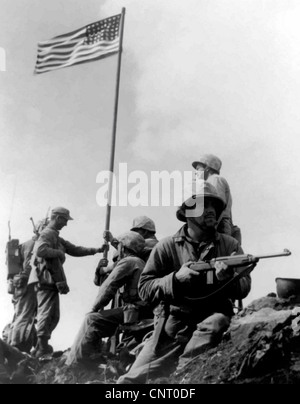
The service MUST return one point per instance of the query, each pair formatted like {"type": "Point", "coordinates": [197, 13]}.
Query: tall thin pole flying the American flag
{"type": "Point", "coordinates": [114, 131]}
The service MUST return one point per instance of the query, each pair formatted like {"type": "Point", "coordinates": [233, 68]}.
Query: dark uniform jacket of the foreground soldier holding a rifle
{"type": "Point", "coordinates": [159, 284]}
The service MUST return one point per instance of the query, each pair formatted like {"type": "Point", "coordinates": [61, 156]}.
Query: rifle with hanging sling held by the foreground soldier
{"type": "Point", "coordinates": [233, 261]}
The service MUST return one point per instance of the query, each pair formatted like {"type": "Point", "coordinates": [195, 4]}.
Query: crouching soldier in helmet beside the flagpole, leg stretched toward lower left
{"type": "Point", "coordinates": [104, 323]}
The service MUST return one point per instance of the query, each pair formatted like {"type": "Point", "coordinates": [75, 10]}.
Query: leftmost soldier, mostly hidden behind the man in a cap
{"type": "Point", "coordinates": [23, 333]}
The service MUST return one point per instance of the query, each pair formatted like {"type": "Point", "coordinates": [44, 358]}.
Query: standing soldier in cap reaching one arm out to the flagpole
{"type": "Point", "coordinates": [49, 277]}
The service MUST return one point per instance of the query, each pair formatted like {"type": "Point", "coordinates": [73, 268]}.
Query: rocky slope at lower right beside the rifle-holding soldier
{"type": "Point", "coordinates": [262, 346]}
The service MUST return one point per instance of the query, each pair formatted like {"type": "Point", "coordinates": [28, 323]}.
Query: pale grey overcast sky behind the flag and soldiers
{"type": "Point", "coordinates": [198, 76]}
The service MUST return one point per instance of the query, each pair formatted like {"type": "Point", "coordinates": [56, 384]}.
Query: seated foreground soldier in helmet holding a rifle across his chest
{"type": "Point", "coordinates": [187, 327]}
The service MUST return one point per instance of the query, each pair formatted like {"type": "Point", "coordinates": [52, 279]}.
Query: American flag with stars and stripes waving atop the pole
{"type": "Point", "coordinates": [93, 42]}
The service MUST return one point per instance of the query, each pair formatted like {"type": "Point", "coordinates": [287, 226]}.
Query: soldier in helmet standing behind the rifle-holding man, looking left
{"type": "Point", "coordinates": [209, 167]}
